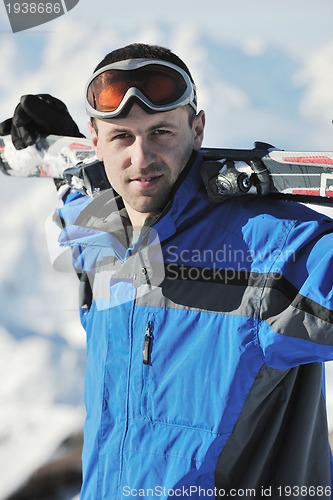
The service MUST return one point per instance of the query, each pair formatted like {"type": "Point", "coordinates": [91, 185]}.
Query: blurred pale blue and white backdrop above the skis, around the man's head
{"type": "Point", "coordinates": [262, 68]}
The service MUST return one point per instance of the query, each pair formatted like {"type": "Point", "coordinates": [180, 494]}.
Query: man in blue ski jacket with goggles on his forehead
{"type": "Point", "coordinates": [208, 324]}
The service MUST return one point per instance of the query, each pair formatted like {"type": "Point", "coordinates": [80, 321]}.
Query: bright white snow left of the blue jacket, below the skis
{"type": "Point", "coordinates": [42, 351]}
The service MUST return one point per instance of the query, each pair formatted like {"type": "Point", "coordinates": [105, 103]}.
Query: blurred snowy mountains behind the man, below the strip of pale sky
{"type": "Point", "coordinates": [251, 90]}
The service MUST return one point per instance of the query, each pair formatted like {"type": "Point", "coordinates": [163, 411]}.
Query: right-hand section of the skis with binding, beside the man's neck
{"type": "Point", "coordinates": [294, 175]}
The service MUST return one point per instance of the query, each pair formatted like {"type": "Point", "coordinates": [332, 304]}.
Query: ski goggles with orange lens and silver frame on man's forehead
{"type": "Point", "coordinates": [157, 84]}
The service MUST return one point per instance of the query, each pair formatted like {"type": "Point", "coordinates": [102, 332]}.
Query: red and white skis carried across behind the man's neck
{"type": "Point", "coordinates": [263, 170]}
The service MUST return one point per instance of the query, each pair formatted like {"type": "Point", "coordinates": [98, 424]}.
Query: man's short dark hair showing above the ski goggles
{"type": "Point", "coordinates": [146, 51]}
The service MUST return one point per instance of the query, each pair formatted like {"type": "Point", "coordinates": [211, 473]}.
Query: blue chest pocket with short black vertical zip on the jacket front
{"type": "Point", "coordinates": [185, 367]}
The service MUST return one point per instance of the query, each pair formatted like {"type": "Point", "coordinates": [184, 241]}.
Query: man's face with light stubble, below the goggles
{"type": "Point", "coordinates": [143, 155]}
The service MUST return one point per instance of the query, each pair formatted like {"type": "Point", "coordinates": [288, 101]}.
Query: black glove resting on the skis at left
{"type": "Point", "coordinates": [39, 114]}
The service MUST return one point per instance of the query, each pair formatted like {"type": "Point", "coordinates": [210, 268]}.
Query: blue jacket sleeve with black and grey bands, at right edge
{"type": "Point", "coordinates": [296, 307]}
